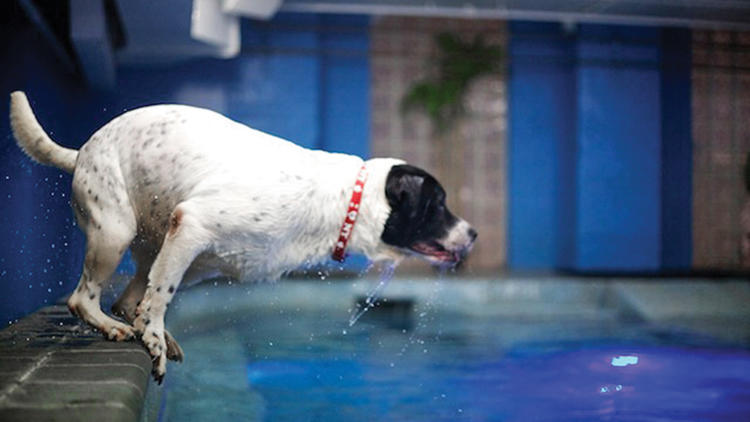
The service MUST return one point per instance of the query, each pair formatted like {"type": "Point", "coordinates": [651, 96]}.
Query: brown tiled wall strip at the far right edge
{"type": "Point", "coordinates": [721, 140]}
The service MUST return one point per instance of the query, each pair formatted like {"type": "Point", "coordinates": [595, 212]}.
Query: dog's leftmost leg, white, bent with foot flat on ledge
{"type": "Point", "coordinates": [105, 246]}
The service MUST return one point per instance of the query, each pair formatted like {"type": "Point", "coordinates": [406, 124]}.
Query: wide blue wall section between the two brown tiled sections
{"type": "Point", "coordinates": [600, 148]}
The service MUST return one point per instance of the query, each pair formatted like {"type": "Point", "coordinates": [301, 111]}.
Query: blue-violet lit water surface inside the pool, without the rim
{"type": "Point", "coordinates": [295, 365]}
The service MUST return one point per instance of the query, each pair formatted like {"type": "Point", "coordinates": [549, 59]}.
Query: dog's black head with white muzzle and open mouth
{"type": "Point", "coordinates": [420, 222]}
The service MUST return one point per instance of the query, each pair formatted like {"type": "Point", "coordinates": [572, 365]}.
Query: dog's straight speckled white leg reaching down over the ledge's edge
{"type": "Point", "coordinates": [184, 241]}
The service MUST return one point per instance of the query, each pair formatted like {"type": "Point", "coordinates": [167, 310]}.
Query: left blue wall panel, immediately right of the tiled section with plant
{"type": "Point", "coordinates": [541, 147]}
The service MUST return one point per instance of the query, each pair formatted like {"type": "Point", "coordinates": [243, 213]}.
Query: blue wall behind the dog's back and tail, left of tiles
{"type": "Point", "coordinates": [302, 77]}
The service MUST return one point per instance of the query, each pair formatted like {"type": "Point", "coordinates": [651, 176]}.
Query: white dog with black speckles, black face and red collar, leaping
{"type": "Point", "coordinates": [194, 194]}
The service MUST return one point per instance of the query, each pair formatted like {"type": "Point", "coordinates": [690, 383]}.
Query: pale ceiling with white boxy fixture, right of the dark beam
{"type": "Point", "coordinates": [169, 30]}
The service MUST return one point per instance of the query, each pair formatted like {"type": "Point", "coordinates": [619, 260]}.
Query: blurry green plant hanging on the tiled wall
{"type": "Point", "coordinates": [458, 63]}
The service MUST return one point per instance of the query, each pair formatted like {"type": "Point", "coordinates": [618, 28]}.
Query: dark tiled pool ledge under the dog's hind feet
{"type": "Point", "coordinates": [53, 367]}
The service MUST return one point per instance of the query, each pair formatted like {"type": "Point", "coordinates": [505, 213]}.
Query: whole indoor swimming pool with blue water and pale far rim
{"type": "Point", "coordinates": [455, 350]}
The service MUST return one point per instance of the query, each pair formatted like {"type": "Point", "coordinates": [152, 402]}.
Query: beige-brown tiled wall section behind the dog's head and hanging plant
{"type": "Point", "coordinates": [401, 49]}
